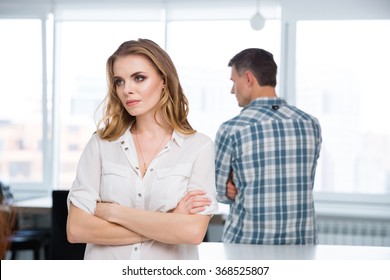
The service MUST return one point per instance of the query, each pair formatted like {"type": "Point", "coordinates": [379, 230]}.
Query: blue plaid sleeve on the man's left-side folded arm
{"type": "Point", "coordinates": [223, 166]}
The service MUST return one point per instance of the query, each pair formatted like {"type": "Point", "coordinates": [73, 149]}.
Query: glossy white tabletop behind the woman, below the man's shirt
{"type": "Point", "coordinates": [222, 251]}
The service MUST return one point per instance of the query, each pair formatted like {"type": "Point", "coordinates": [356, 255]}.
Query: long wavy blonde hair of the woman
{"type": "Point", "coordinates": [173, 104]}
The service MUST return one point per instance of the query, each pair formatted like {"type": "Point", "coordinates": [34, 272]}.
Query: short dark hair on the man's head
{"type": "Point", "coordinates": [260, 62]}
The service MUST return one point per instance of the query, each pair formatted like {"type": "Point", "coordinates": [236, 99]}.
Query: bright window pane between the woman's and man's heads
{"type": "Point", "coordinates": [201, 51]}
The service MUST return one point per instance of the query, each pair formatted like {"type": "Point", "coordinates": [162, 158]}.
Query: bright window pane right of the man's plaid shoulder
{"type": "Point", "coordinates": [342, 78]}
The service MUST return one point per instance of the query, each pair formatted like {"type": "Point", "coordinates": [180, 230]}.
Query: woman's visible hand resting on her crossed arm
{"type": "Point", "coordinates": [193, 202]}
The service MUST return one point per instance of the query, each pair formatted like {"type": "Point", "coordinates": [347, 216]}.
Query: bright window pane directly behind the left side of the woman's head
{"type": "Point", "coordinates": [83, 51]}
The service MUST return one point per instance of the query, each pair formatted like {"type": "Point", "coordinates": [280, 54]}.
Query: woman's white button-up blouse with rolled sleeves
{"type": "Point", "coordinates": [109, 171]}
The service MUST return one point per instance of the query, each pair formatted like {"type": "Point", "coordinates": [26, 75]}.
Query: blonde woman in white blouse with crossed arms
{"type": "Point", "coordinates": [145, 183]}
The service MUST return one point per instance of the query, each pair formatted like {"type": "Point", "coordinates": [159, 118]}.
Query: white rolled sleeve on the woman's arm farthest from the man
{"type": "Point", "coordinates": [84, 192]}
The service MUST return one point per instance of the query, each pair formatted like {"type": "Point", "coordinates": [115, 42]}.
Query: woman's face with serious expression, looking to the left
{"type": "Point", "coordinates": [138, 85]}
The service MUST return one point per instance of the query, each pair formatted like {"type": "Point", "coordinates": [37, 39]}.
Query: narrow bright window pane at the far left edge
{"type": "Point", "coordinates": [21, 101]}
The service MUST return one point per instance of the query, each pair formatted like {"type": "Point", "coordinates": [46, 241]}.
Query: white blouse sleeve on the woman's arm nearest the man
{"type": "Point", "coordinates": [203, 176]}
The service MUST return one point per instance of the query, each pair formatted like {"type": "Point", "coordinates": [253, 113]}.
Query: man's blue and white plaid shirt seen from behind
{"type": "Point", "coordinates": [272, 149]}
